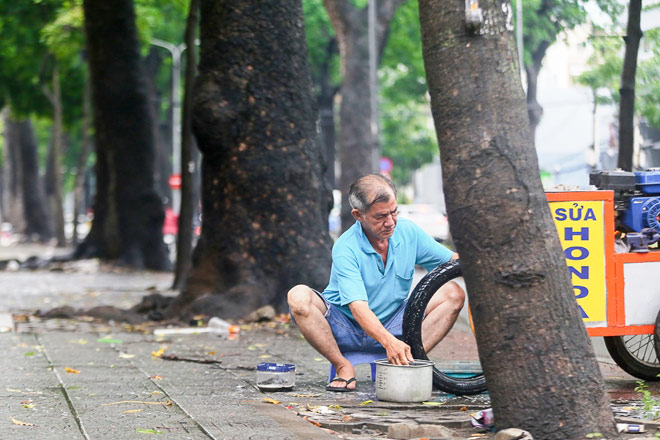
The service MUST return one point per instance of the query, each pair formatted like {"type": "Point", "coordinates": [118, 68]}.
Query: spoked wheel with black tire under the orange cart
{"type": "Point", "coordinates": [635, 354]}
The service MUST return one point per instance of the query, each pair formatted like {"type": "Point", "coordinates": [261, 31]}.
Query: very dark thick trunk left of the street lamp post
{"type": "Point", "coordinates": [128, 212]}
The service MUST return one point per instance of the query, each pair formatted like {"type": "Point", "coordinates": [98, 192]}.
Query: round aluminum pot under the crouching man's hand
{"type": "Point", "coordinates": [404, 383]}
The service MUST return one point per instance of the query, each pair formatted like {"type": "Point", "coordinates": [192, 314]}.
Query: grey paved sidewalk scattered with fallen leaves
{"type": "Point", "coordinates": [65, 379]}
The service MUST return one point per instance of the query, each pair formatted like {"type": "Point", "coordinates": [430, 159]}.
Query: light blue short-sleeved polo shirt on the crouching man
{"type": "Point", "coordinates": [358, 274]}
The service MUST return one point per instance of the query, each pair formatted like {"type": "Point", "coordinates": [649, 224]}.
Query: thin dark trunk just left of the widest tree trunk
{"type": "Point", "coordinates": [188, 166]}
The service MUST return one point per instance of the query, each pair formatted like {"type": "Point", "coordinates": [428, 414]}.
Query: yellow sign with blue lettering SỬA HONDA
{"type": "Point", "coordinates": [581, 231]}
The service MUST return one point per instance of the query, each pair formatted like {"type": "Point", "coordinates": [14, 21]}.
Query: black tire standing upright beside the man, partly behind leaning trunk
{"type": "Point", "coordinates": [412, 329]}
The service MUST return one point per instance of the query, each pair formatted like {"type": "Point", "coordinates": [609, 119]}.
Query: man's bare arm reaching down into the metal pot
{"type": "Point", "coordinates": [398, 352]}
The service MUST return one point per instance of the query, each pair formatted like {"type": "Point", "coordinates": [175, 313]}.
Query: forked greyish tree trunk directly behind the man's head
{"type": "Point", "coordinates": [358, 146]}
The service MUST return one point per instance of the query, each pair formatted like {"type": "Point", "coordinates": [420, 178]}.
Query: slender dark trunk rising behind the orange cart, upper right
{"type": "Point", "coordinates": [627, 90]}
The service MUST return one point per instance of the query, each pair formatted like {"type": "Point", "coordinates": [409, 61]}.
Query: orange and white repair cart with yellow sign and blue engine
{"type": "Point", "coordinates": [610, 241]}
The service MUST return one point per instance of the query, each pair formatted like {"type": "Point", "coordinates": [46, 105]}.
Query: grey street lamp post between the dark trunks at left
{"type": "Point", "coordinates": [176, 51]}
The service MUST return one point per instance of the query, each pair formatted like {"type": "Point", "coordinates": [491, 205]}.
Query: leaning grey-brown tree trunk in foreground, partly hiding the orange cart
{"type": "Point", "coordinates": [540, 368]}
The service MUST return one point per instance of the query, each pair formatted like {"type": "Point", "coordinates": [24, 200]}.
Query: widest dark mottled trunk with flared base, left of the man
{"type": "Point", "coordinates": [264, 218]}
